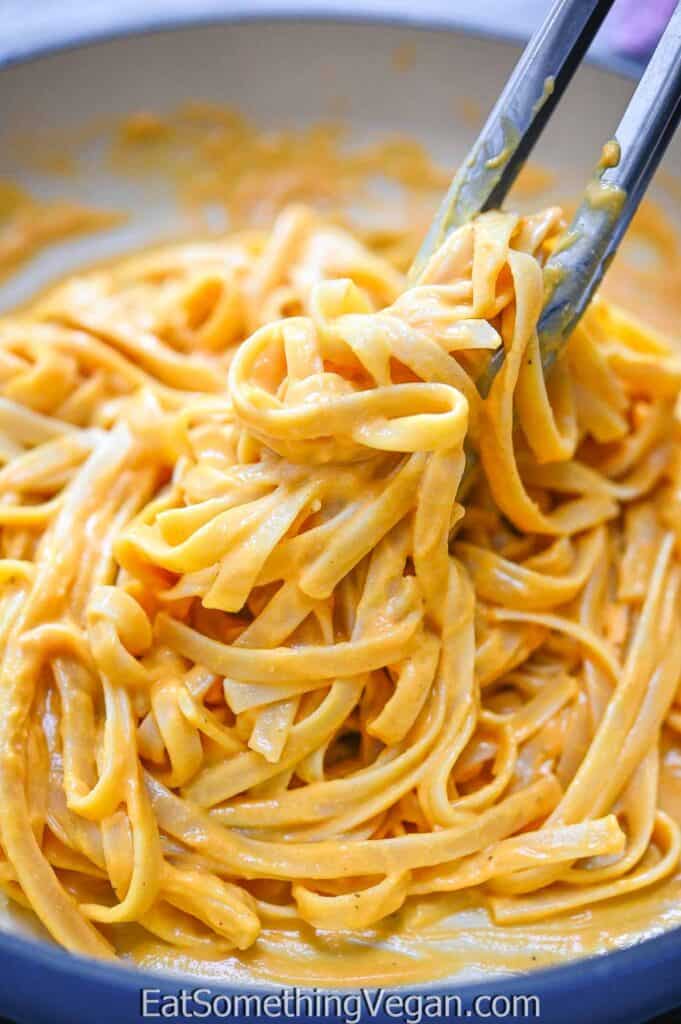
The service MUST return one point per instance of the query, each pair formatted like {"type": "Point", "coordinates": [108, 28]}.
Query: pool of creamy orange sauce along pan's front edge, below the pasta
{"type": "Point", "coordinates": [438, 937]}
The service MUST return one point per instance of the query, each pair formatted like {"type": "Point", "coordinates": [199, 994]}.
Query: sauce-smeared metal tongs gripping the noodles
{"type": "Point", "coordinates": [577, 267]}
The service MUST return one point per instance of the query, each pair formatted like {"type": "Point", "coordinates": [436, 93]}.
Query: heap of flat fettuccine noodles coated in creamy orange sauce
{"type": "Point", "coordinates": [297, 627]}
